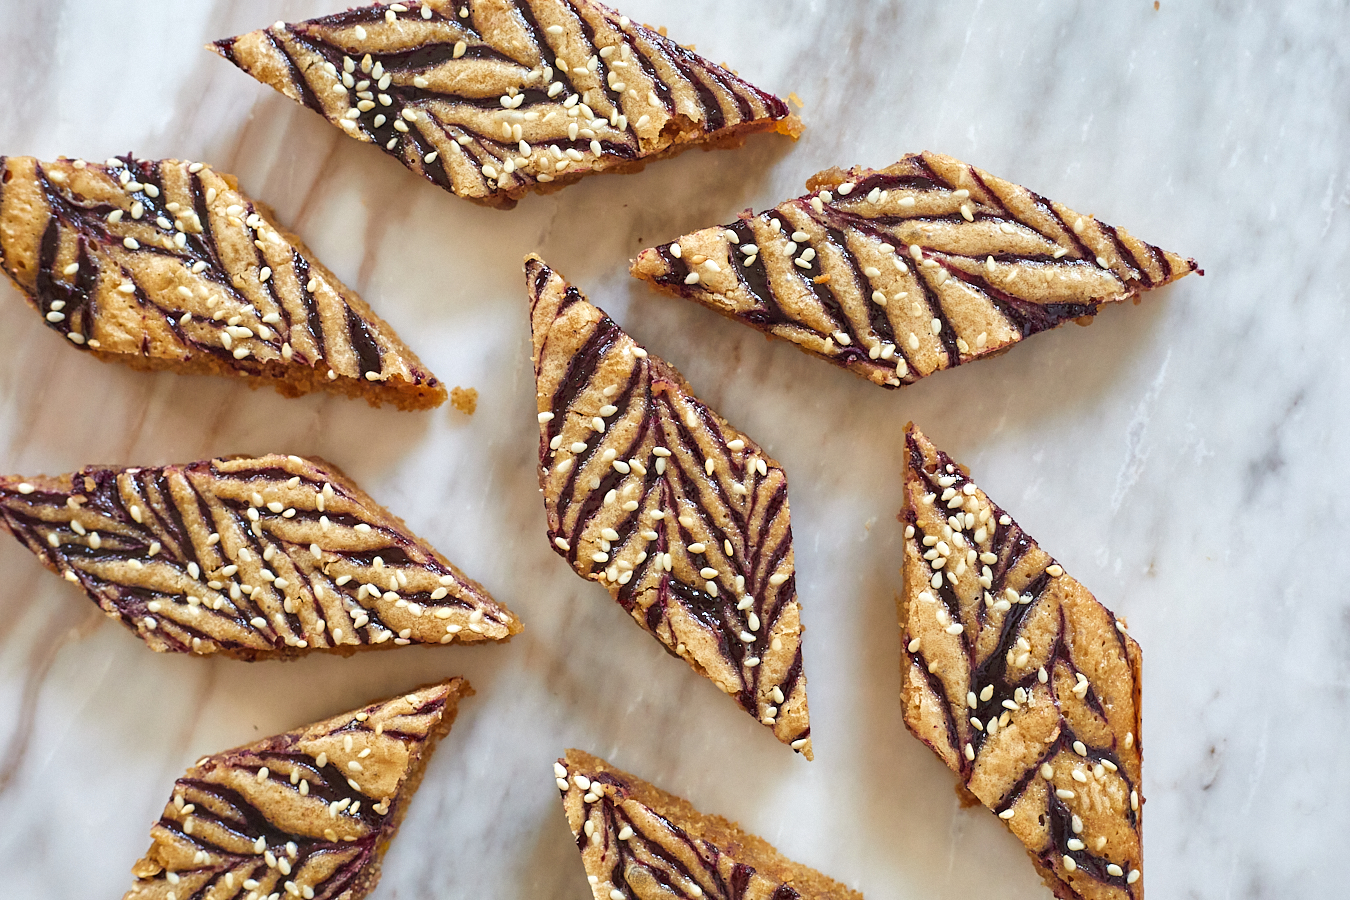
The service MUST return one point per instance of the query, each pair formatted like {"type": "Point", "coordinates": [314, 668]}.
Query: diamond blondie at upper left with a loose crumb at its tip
{"type": "Point", "coordinates": [165, 265]}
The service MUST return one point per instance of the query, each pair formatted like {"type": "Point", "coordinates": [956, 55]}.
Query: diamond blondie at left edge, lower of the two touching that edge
{"type": "Point", "coordinates": [253, 558]}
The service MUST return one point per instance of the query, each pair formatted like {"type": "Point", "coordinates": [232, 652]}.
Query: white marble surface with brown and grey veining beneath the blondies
{"type": "Point", "coordinates": [1182, 458]}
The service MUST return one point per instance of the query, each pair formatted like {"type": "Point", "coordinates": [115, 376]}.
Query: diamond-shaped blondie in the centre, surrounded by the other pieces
{"type": "Point", "coordinates": [658, 499]}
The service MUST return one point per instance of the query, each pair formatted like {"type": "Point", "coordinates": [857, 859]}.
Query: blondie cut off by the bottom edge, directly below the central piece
{"type": "Point", "coordinates": [641, 843]}
